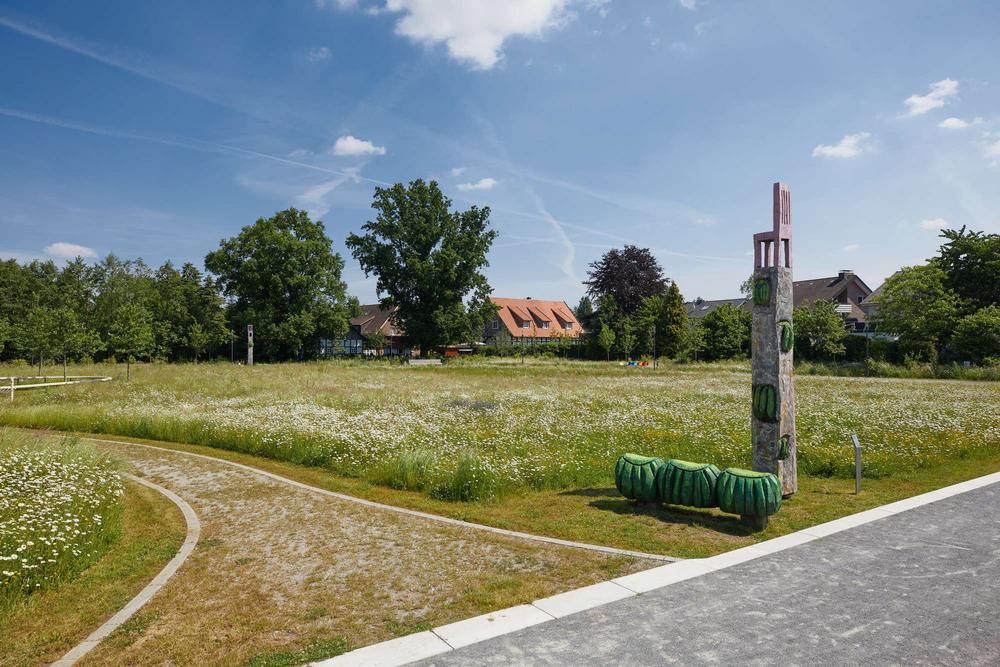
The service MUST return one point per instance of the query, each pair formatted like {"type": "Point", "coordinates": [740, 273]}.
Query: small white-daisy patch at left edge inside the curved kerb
{"type": "Point", "coordinates": [60, 508]}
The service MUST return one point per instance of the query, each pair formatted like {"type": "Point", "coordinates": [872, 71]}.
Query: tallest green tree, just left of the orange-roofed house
{"type": "Point", "coordinates": [428, 261]}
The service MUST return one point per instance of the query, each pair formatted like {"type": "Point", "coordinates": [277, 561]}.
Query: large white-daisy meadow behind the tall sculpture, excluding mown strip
{"type": "Point", "coordinates": [479, 430]}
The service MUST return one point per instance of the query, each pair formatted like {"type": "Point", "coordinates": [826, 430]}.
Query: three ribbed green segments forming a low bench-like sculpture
{"type": "Point", "coordinates": [674, 482]}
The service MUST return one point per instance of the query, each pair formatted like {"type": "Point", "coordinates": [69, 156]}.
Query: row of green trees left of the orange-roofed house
{"type": "Point", "coordinates": [279, 274]}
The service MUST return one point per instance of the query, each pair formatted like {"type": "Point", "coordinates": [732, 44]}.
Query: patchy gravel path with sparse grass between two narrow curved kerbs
{"type": "Point", "coordinates": [279, 568]}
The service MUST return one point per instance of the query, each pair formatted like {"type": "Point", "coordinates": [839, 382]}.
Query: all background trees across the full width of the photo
{"type": "Point", "coordinates": [281, 275]}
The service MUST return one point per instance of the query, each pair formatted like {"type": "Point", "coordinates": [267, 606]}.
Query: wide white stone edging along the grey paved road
{"type": "Point", "coordinates": [396, 652]}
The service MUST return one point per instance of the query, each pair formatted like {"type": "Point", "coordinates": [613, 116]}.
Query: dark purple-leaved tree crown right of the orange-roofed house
{"type": "Point", "coordinates": [629, 275]}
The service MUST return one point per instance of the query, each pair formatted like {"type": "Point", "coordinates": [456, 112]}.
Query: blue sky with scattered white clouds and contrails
{"type": "Point", "coordinates": [154, 130]}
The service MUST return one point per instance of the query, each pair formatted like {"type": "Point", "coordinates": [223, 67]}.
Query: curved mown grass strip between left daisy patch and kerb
{"type": "Point", "coordinates": [49, 623]}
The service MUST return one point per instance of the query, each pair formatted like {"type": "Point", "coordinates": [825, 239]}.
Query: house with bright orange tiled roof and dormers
{"type": "Point", "coordinates": [532, 320]}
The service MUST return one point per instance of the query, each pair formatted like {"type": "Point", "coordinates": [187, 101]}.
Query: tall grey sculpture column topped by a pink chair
{"type": "Point", "coordinates": [773, 395]}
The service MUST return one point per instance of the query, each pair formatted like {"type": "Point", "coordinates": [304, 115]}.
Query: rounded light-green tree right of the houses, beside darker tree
{"type": "Point", "coordinates": [917, 305]}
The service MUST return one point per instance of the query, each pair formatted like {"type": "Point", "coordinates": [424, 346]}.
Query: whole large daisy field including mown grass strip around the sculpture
{"type": "Point", "coordinates": [532, 446]}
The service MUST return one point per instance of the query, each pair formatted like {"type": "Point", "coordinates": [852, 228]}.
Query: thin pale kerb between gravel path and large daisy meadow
{"type": "Point", "coordinates": [402, 510]}
